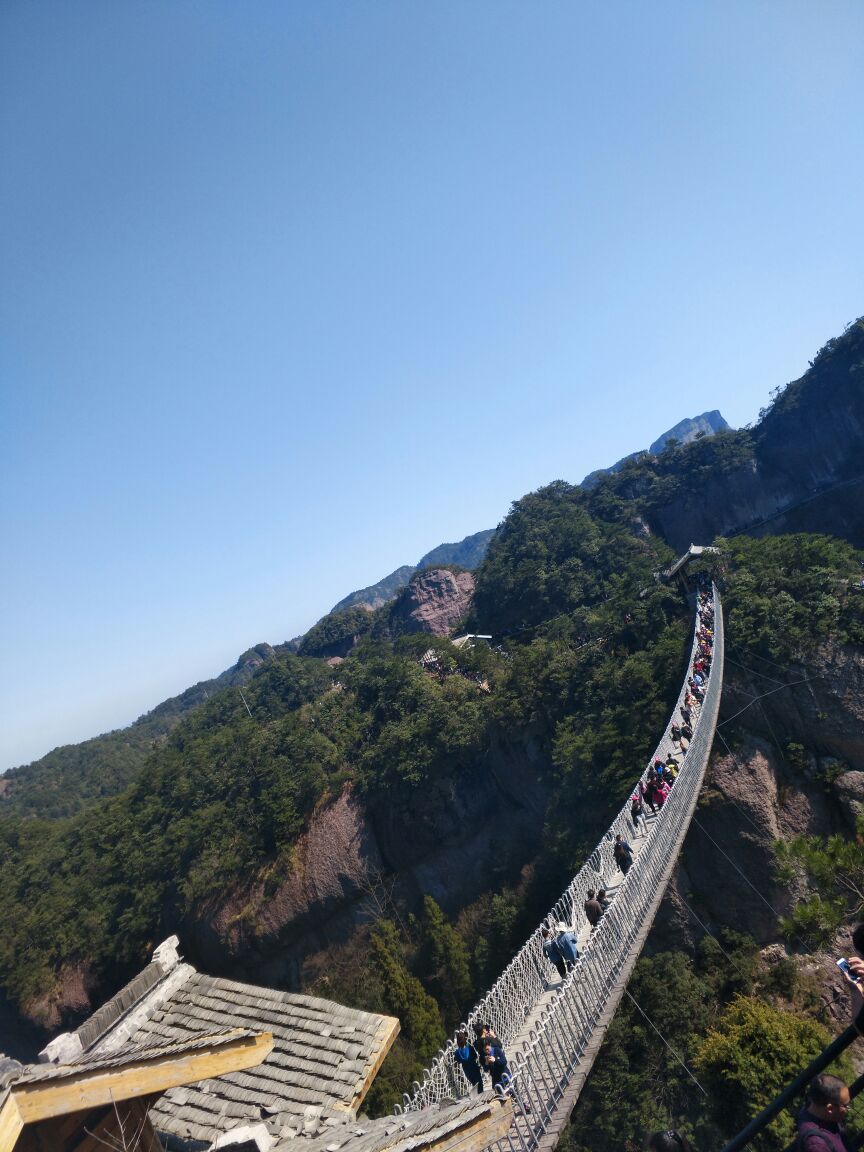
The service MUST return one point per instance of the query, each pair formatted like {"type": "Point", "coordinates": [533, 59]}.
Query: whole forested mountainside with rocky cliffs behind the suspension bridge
{"type": "Point", "coordinates": [386, 832]}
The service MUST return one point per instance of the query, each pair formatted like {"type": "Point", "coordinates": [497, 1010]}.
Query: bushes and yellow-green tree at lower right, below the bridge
{"type": "Point", "coordinates": [737, 1032]}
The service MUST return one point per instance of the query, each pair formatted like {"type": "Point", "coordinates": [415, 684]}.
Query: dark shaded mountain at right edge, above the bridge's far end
{"type": "Point", "coordinates": [801, 469]}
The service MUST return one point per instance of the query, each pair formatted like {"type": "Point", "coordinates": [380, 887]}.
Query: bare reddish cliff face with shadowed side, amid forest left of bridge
{"type": "Point", "coordinates": [458, 839]}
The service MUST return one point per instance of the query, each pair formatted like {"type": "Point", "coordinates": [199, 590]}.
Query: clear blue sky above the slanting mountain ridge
{"type": "Point", "coordinates": [294, 292]}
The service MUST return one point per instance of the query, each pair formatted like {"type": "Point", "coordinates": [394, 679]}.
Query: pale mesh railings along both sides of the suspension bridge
{"type": "Point", "coordinates": [559, 1039]}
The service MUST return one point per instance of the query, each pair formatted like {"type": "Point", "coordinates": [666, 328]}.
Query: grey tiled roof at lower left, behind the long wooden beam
{"type": "Point", "coordinates": [322, 1065]}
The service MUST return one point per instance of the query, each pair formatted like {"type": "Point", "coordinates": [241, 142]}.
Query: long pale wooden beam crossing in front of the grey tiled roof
{"type": "Point", "coordinates": [43, 1100]}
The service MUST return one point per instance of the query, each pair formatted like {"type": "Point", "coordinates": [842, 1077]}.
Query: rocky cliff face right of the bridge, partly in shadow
{"type": "Point", "coordinates": [759, 792]}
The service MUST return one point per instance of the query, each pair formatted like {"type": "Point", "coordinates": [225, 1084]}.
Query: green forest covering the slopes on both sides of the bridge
{"type": "Point", "coordinates": [589, 647]}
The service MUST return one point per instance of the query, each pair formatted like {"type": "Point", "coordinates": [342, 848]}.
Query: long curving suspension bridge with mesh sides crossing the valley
{"type": "Point", "coordinates": [552, 1027]}
